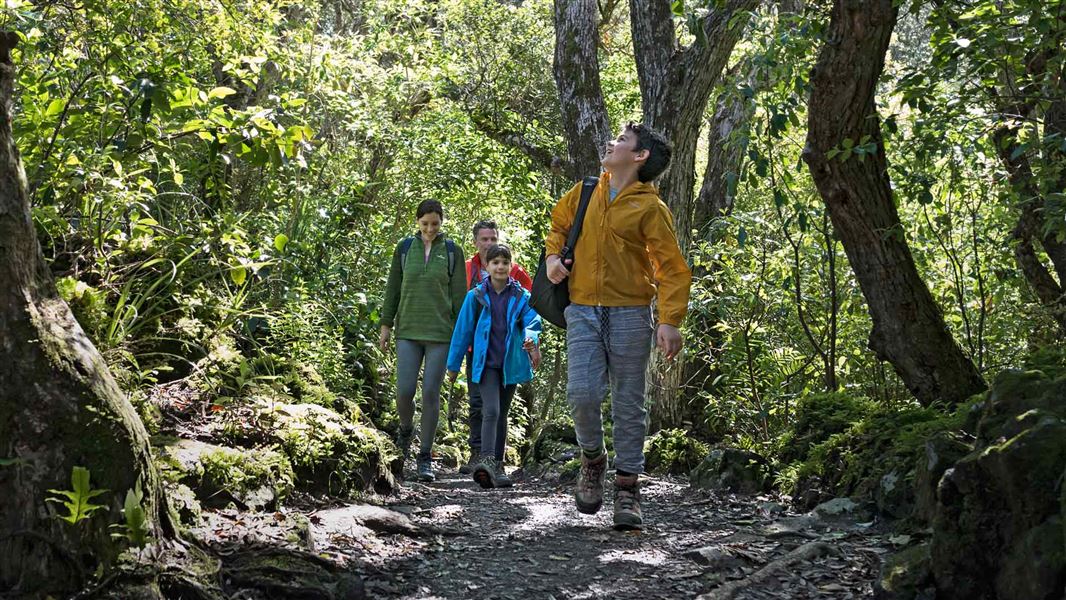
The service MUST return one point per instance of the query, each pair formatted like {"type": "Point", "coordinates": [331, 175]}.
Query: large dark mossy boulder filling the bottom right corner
{"type": "Point", "coordinates": [990, 505]}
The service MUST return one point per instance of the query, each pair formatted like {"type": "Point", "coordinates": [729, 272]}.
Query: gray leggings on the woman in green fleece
{"type": "Point", "coordinates": [410, 355]}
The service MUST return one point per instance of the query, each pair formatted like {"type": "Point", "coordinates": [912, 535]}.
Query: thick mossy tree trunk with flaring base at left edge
{"type": "Point", "coordinates": [59, 407]}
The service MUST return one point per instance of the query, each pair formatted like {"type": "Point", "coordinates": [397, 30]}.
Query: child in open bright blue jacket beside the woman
{"type": "Point", "coordinates": [498, 321]}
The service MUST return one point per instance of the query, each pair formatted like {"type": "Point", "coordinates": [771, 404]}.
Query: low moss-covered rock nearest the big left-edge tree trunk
{"type": "Point", "coordinates": [253, 478]}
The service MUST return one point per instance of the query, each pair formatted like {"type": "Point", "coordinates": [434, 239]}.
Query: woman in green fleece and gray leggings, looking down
{"type": "Point", "coordinates": [423, 300]}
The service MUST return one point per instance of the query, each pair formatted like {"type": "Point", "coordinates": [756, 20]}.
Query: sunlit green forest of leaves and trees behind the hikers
{"type": "Point", "coordinates": [218, 189]}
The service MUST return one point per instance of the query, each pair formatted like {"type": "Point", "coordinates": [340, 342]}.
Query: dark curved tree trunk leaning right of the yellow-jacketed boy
{"type": "Point", "coordinates": [909, 328]}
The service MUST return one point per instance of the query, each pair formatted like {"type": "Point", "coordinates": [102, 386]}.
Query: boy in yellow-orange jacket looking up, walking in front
{"type": "Point", "coordinates": [627, 255]}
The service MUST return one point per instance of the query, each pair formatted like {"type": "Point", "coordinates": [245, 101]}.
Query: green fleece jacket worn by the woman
{"type": "Point", "coordinates": [422, 301]}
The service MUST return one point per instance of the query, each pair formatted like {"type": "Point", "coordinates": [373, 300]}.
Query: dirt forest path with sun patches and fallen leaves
{"type": "Point", "coordinates": [451, 540]}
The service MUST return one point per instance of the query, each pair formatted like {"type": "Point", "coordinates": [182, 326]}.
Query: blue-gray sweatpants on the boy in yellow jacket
{"type": "Point", "coordinates": [609, 346]}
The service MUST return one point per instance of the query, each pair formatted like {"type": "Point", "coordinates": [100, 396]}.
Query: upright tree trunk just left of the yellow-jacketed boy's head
{"type": "Point", "coordinates": [577, 78]}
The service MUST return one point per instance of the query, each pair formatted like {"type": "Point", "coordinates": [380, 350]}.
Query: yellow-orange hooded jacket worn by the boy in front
{"type": "Point", "coordinates": [627, 250]}
